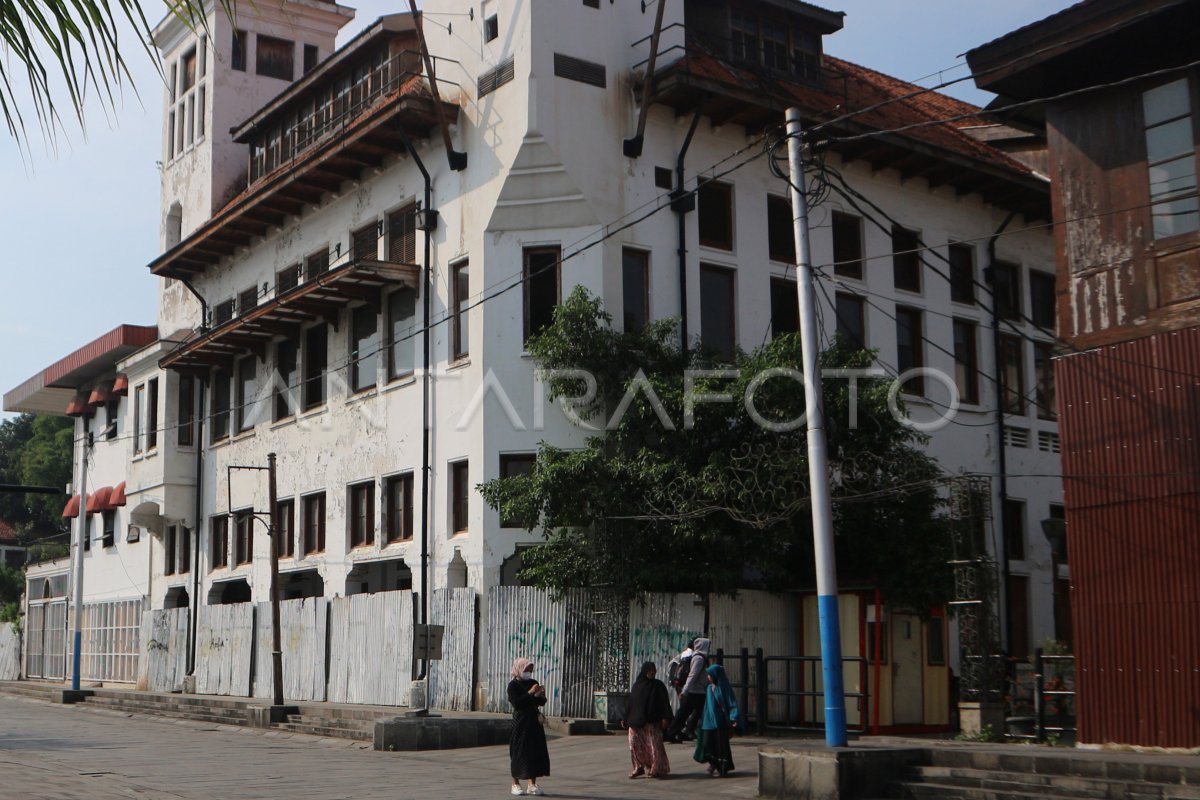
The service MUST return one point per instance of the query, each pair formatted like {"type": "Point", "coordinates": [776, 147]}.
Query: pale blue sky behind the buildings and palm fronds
{"type": "Point", "coordinates": [80, 219]}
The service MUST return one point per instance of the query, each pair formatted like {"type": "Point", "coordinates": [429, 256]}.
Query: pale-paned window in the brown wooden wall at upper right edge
{"type": "Point", "coordinates": [1171, 159]}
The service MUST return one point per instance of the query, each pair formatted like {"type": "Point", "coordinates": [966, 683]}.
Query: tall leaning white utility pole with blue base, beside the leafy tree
{"type": "Point", "coordinates": [819, 465]}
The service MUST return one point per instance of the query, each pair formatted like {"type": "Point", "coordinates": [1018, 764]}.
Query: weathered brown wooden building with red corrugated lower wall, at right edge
{"type": "Point", "coordinates": [1123, 139]}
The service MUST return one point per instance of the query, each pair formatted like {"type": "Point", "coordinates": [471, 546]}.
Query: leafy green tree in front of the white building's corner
{"type": "Point", "coordinates": [713, 501]}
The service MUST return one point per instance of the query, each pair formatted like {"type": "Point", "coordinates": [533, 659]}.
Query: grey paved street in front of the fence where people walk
{"type": "Point", "coordinates": [56, 753]}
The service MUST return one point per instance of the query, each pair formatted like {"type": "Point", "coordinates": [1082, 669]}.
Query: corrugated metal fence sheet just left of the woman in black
{"type": "Point", "coordinates": [453, 678]}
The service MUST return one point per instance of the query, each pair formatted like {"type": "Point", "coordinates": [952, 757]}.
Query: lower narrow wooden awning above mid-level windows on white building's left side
{"type": "Point", "coordinates": [322, 298]}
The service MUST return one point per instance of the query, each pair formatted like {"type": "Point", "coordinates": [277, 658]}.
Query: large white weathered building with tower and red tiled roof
{"type": "Point", "coordinates": [319, 251]}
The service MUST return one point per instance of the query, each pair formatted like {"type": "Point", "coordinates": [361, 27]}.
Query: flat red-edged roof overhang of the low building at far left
{"type": "Point", "coordinates": [52, 390]}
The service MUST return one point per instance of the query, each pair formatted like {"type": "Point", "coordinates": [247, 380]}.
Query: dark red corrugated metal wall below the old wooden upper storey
{"type": "Point", "coordinates": [1131, 431]}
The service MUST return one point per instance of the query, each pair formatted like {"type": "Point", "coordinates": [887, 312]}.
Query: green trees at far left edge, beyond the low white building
{"type": "Point", "coordinates": [35, 452]}
